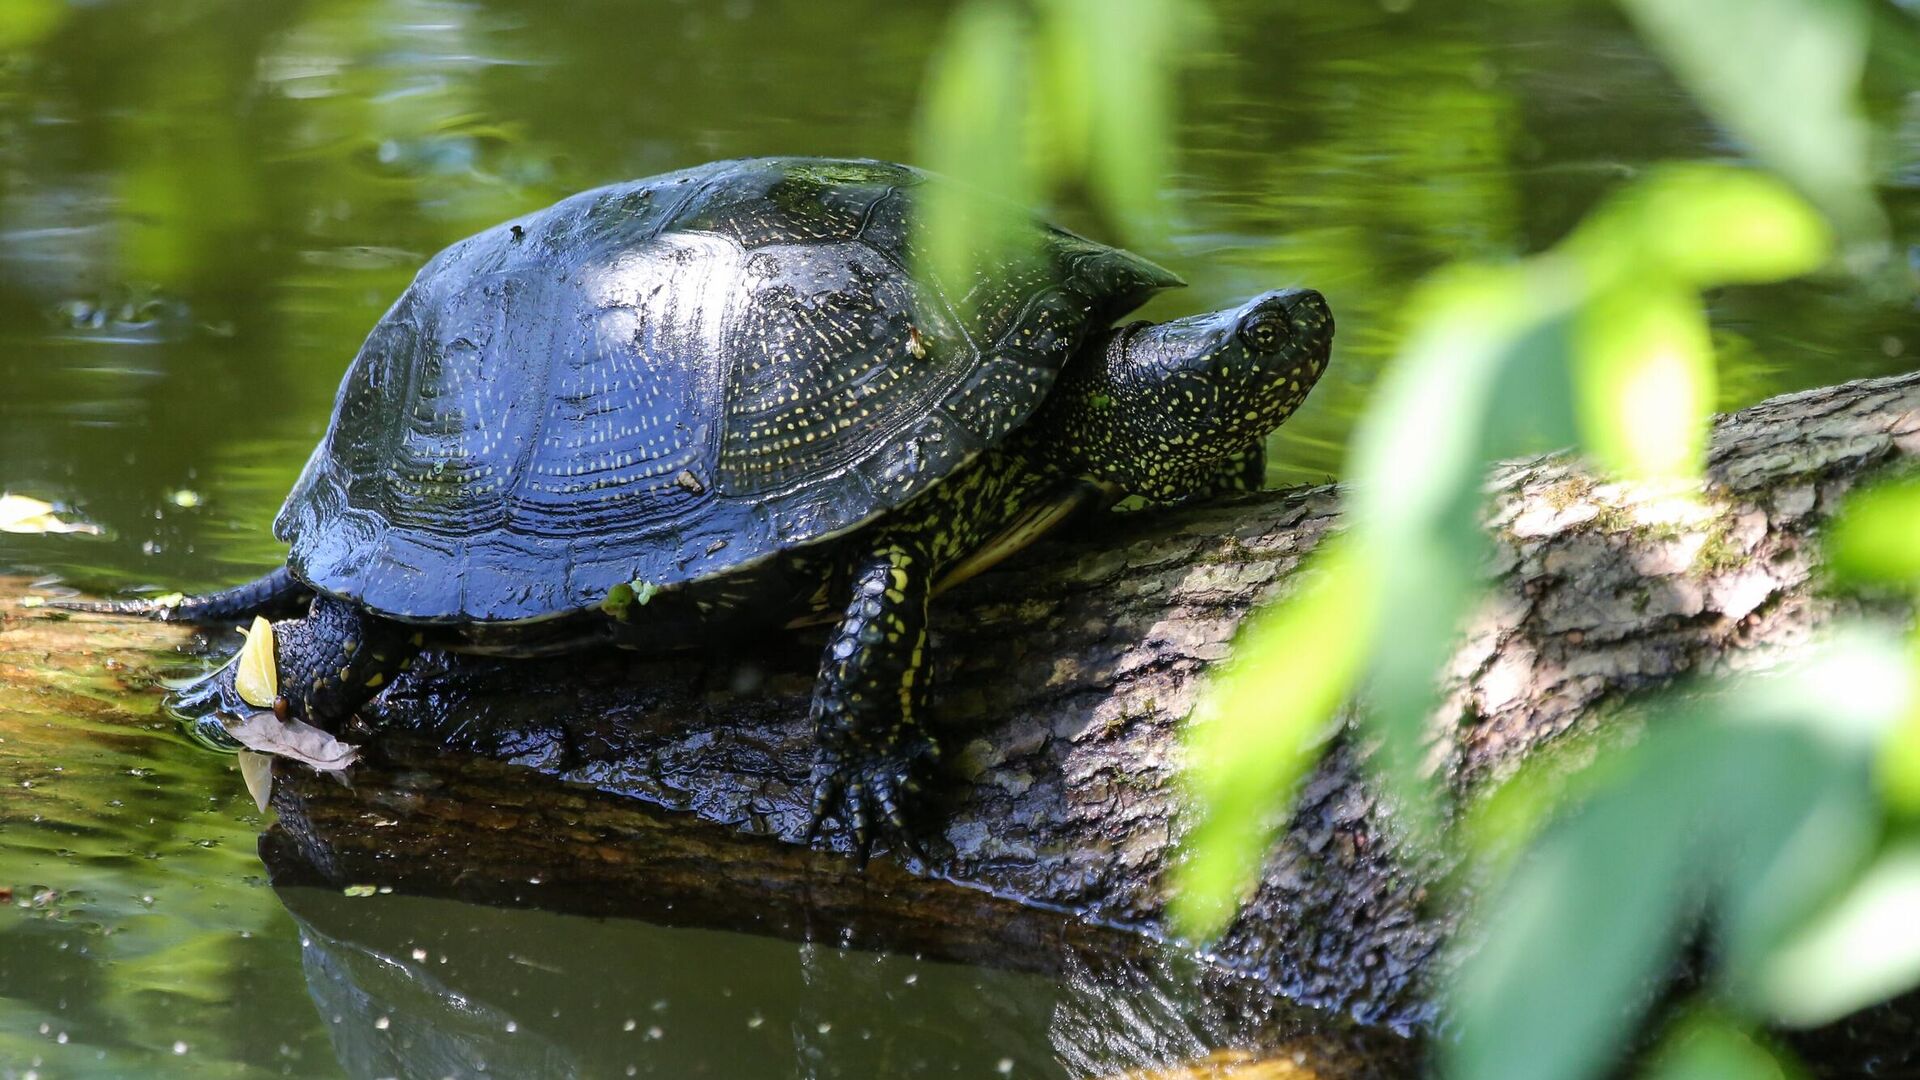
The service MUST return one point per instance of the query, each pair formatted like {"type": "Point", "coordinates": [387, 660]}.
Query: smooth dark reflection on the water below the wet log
{"type": "Point", "coordinates": [429, 989]}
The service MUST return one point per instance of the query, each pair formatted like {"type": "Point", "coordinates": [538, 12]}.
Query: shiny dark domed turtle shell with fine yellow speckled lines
{"type": "Point", "coordinates": [671, 380]}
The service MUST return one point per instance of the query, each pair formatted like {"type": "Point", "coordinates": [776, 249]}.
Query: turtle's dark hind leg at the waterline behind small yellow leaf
{"type": "Point", "coordinates": [329, 666]}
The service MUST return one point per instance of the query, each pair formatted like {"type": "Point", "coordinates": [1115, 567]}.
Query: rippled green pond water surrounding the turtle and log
{"type": "Point", "coordinates": [204, 205]}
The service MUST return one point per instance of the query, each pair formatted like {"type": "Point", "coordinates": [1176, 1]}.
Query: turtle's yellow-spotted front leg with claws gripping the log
{"type": "Point", "coordinates": [871, 693]}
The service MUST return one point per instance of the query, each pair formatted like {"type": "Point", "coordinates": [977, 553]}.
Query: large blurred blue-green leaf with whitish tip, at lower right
{"type": "Point", "coordinates": [1748, 806]}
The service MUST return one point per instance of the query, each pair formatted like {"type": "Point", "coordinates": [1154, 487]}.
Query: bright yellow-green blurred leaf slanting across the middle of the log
{"type": "Point", "coordinates": [1260, 727]}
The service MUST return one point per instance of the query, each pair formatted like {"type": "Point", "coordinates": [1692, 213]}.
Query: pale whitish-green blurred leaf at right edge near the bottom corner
{"type": "Point", "coordinates": [1865, 948]}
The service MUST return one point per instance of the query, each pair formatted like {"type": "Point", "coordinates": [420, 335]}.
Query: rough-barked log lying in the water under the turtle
{"type": "Point", "coordinates": [1063, 685]}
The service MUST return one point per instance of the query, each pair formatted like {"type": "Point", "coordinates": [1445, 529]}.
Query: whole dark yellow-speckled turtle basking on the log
{"type": "Point", "coordinates": [719, 395]}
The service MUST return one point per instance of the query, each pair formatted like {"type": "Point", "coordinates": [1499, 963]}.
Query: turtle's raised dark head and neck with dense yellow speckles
{"type": "Point", "coordinates": [1164, 408]}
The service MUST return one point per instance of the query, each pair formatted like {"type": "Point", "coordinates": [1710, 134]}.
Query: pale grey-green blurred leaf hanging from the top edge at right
{"type": "Point", "coordinates": [1785, 78]}
